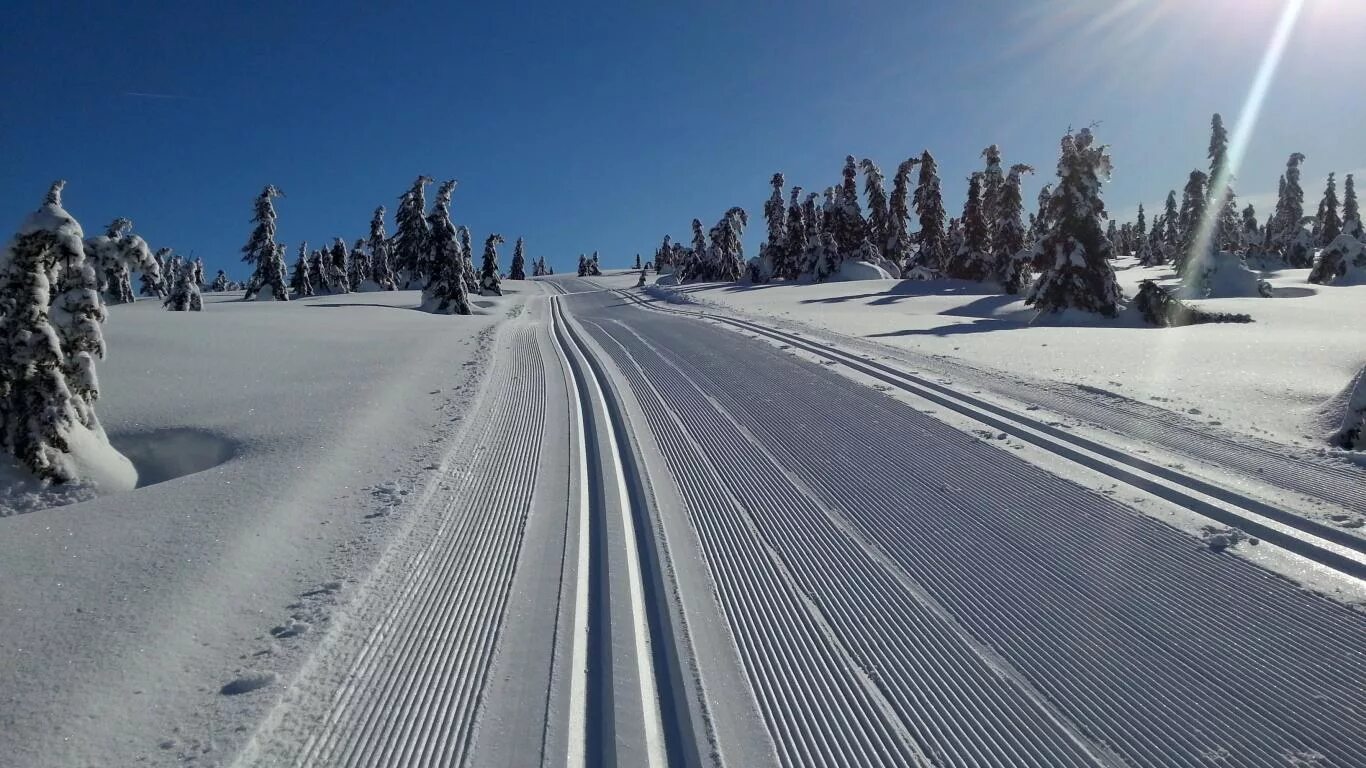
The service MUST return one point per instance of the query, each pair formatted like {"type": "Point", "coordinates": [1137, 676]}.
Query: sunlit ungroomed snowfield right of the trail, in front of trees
{"type": "Point", "coordinates": [1270, 379]}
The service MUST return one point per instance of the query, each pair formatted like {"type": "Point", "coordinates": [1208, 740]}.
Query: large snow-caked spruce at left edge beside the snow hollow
{"type": "Point", "coordinates": [50, 342]}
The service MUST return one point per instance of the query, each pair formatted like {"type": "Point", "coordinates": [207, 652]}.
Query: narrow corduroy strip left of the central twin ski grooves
{"type": "Point", "coordinates": [413, 695]}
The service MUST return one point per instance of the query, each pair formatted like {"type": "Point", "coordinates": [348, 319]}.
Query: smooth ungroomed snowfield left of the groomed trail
{"type": "Point", "coordinates": [279, 446]}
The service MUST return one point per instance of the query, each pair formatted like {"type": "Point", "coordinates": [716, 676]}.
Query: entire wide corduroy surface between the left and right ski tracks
{"type": "Point", "coordinates": [1151, 648]}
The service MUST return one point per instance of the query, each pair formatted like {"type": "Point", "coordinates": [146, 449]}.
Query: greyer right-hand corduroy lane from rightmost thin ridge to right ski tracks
{"type": "Point", "coordinates": [1185, 651]}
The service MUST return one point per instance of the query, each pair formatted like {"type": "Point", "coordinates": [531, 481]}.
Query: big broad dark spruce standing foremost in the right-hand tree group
{"type": "Point", "coordinates": [1074, 253]}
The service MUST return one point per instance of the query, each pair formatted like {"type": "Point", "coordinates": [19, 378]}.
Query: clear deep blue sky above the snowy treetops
{"type": "Point", "coordinates": [609, 125]}
